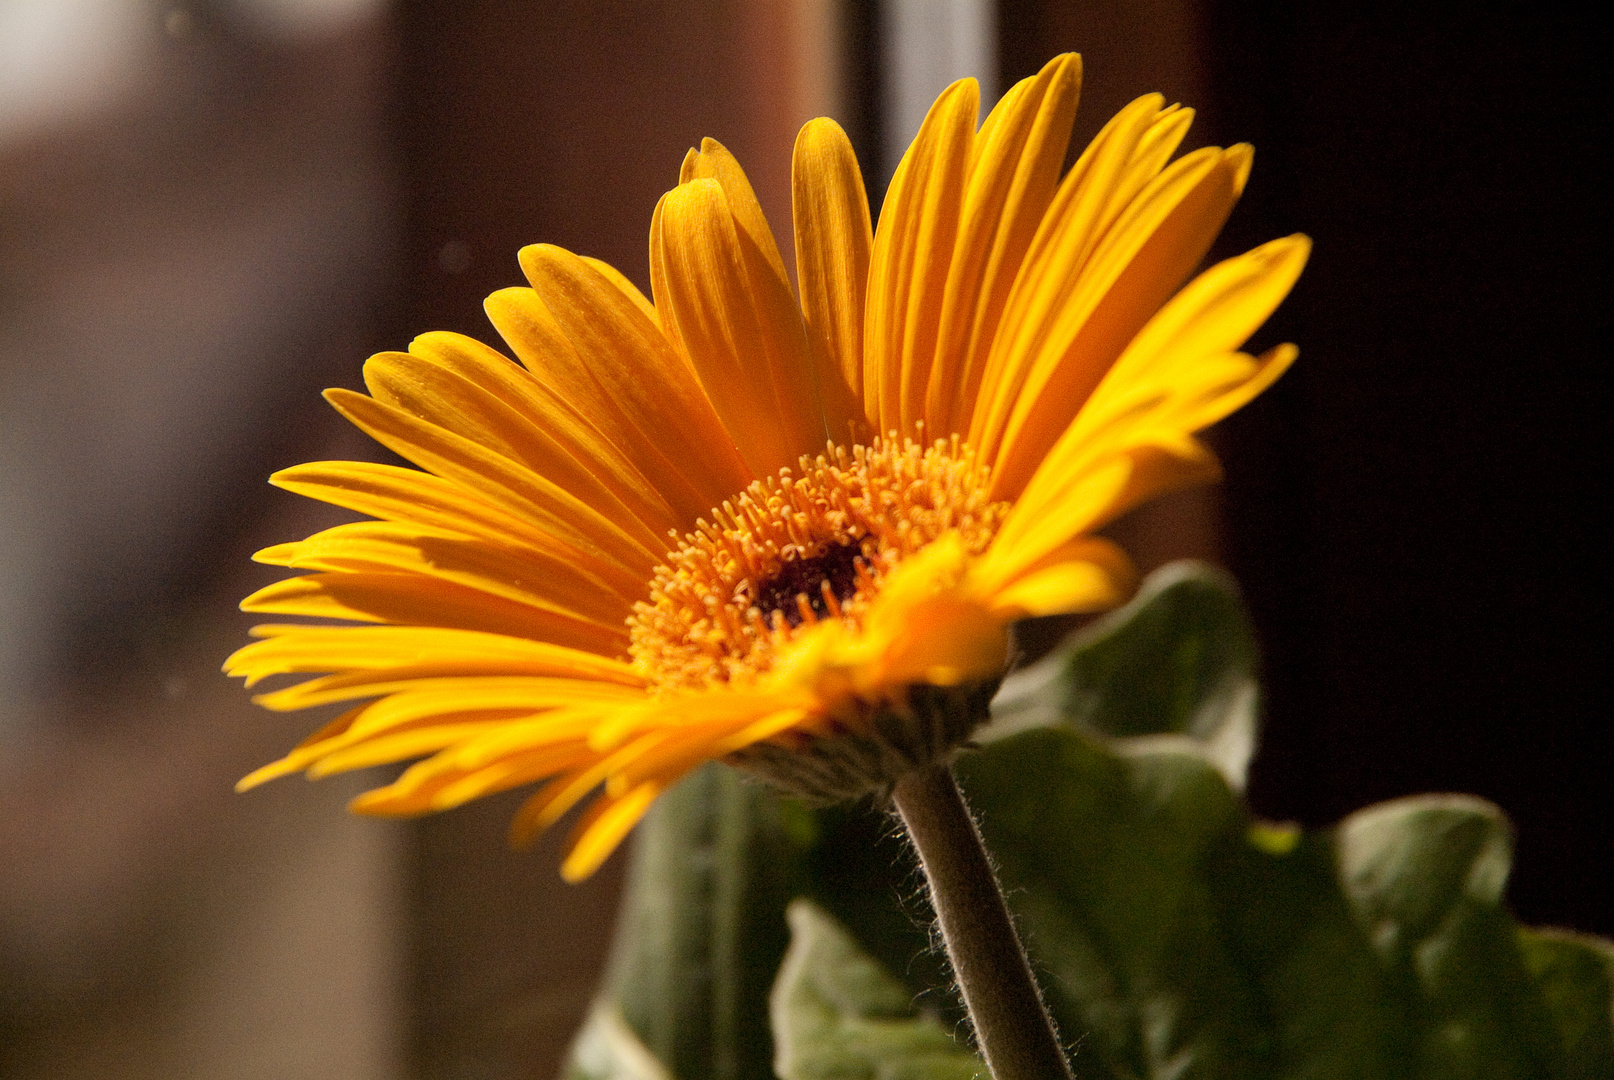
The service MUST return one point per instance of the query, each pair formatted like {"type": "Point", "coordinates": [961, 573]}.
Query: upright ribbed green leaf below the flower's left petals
{"type": "Point", "coordinates": [703, 926]}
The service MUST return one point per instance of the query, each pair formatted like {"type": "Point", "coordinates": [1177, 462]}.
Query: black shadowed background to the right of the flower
{"type": "Point", "coordinates": [1411, 509]}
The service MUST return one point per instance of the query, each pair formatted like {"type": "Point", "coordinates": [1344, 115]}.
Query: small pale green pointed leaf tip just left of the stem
{"type": "Point", "coordinates": [840, 1016]}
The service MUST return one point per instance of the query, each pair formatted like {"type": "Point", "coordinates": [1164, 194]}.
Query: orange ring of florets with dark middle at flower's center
{"type": "Point", "coordinates": [809, 545]}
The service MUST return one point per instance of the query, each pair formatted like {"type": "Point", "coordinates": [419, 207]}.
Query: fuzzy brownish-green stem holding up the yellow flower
{"type": "Point", "coordinates": [1013, 1028]}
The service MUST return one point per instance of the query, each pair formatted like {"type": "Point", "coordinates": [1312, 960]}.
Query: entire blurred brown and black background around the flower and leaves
{"type": "Point", "coordinates": [212, 211]}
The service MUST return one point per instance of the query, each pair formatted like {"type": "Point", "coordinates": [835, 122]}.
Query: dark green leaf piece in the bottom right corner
{"type": "Point", "coordinates": [1576, 977]}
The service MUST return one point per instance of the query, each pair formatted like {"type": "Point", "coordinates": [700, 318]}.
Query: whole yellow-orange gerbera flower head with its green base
{"type": "Point", "coordinates": [788, 534]}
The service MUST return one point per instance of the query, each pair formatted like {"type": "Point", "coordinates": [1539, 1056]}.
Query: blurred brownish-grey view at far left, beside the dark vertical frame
{"type": "Point", "coordinates": [196, 224]}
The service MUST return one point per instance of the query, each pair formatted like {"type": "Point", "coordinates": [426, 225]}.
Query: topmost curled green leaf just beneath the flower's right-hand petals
{"type": "Point", "coordinates": [1174, 668]}
